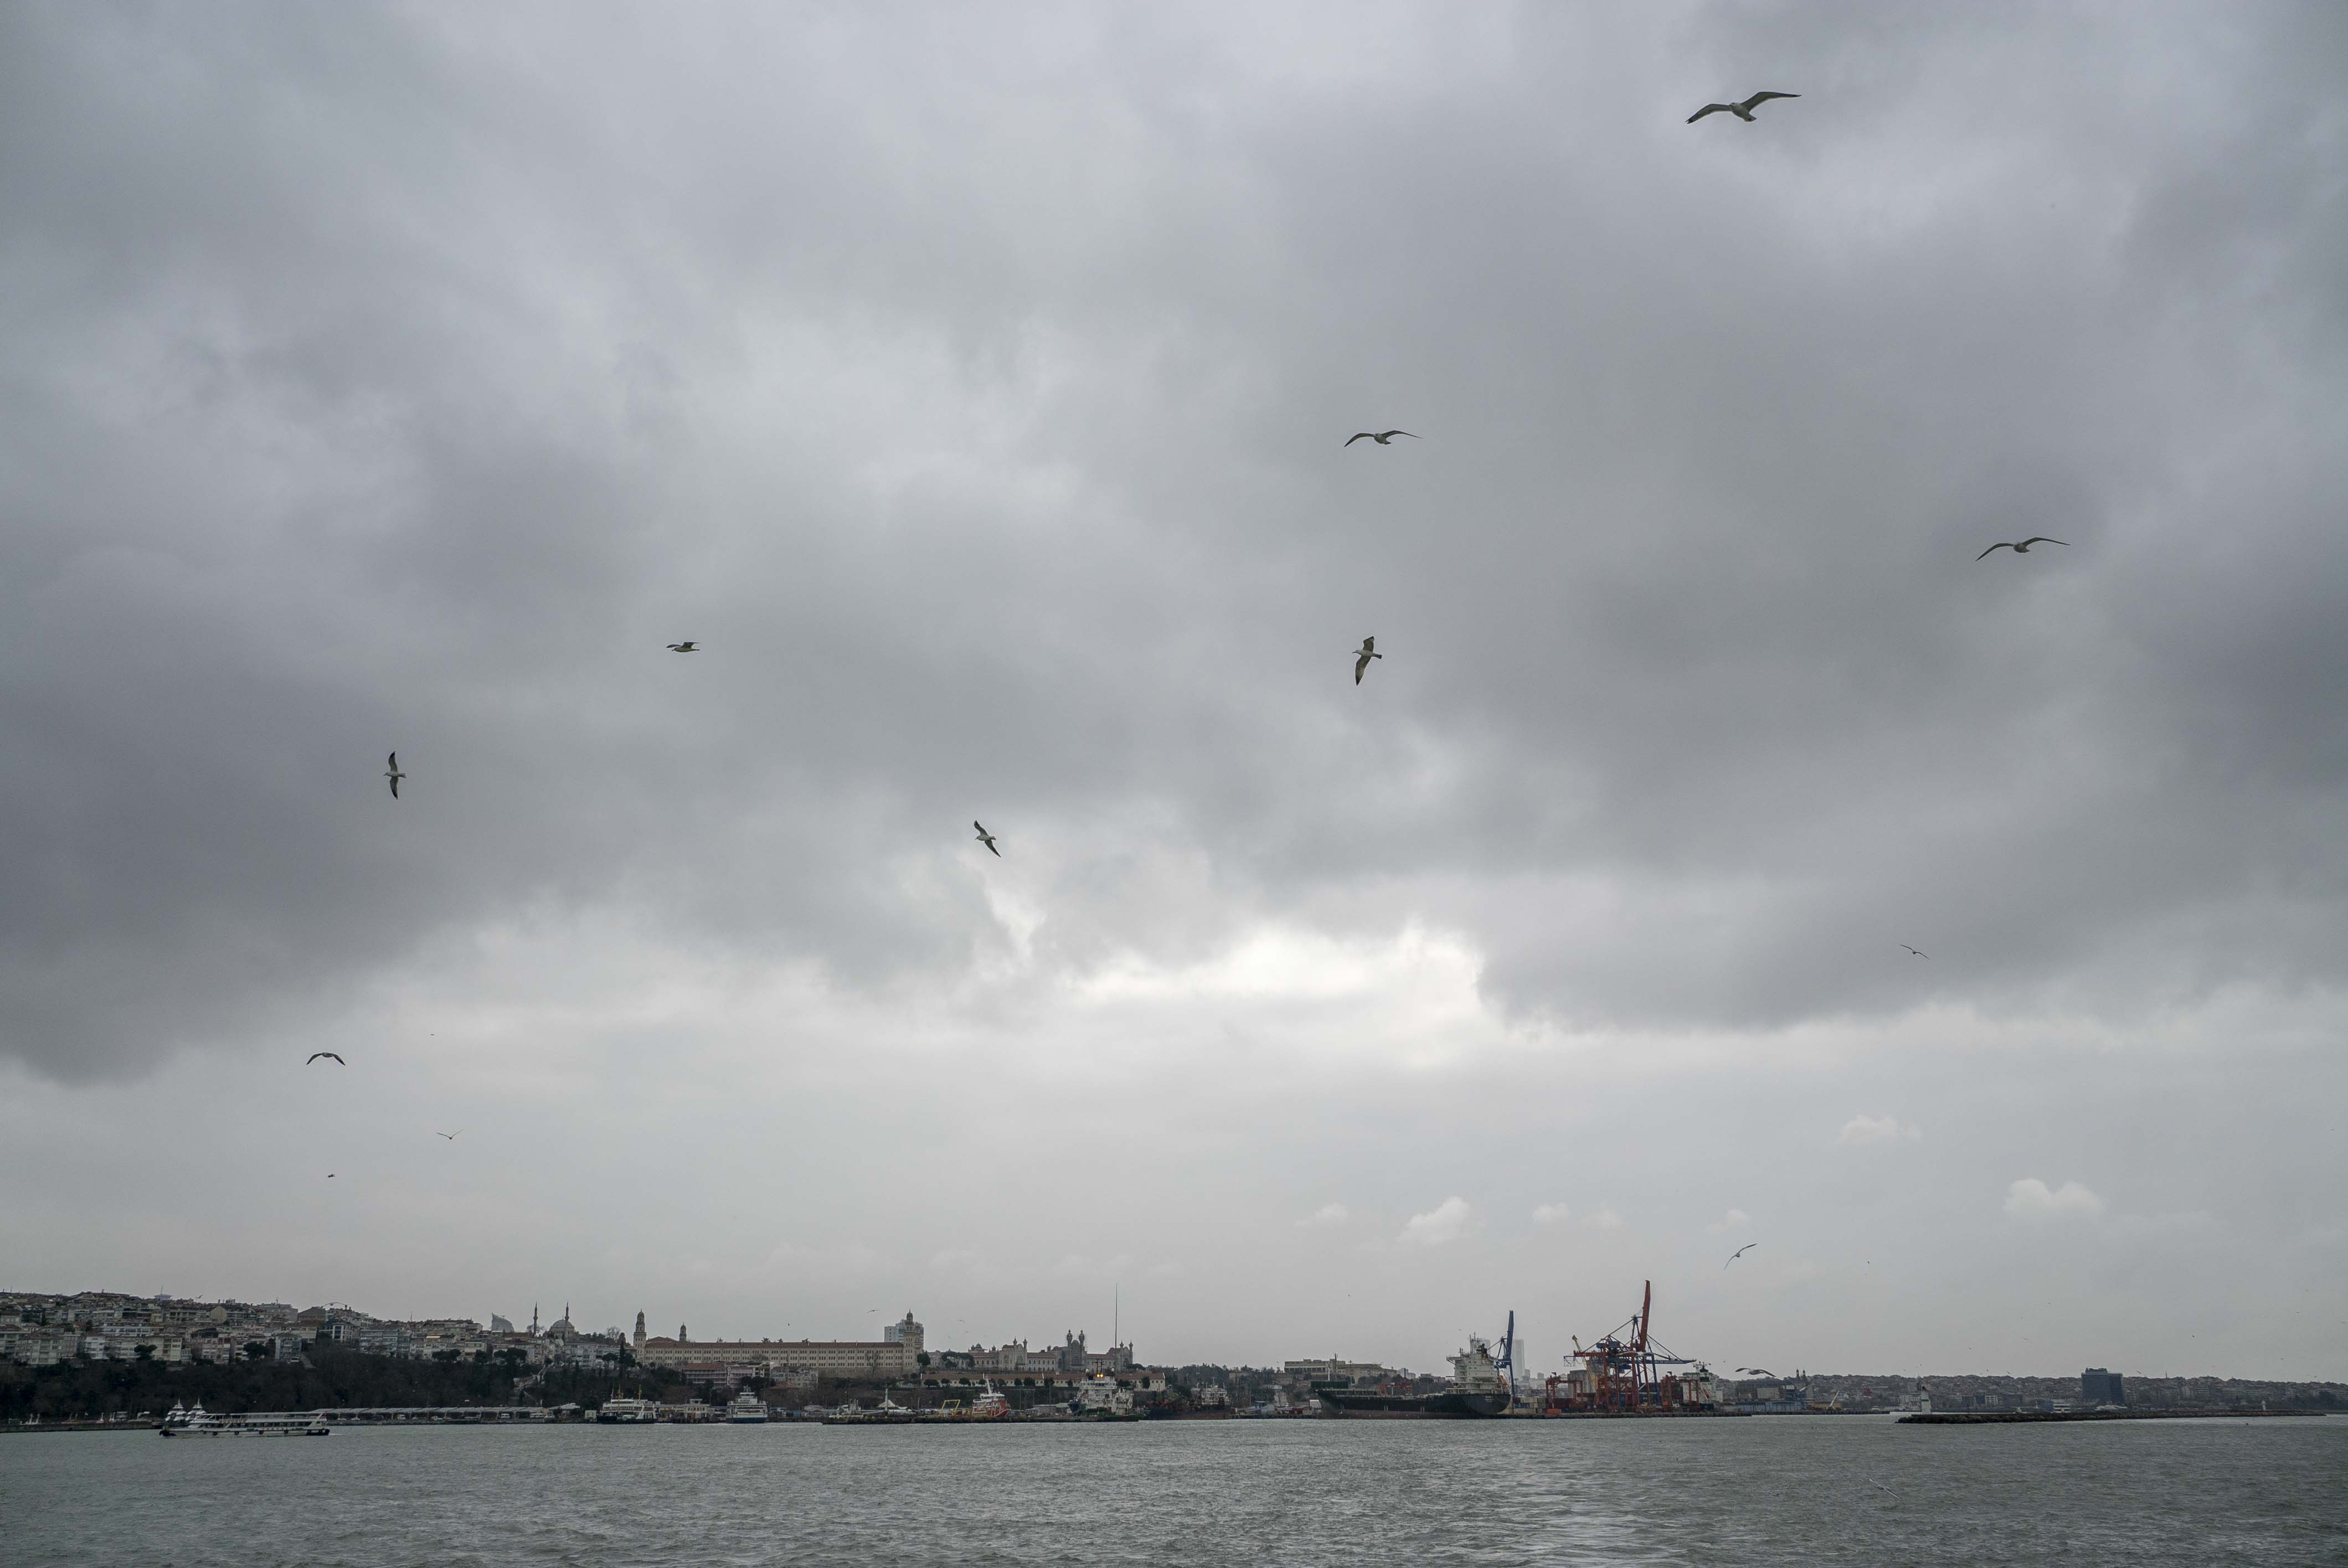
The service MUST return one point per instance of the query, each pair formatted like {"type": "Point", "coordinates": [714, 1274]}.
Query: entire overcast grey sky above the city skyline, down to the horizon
{"type": "Point", "coordinates": [971, 384]}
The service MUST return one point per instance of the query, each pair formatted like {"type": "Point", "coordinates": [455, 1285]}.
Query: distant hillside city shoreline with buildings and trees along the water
{"type": "Point", "coordinates": [95, 1327]}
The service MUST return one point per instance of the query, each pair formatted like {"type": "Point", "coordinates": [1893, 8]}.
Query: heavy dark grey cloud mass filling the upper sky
{"type": "Point", "coordinates": [973, 393]}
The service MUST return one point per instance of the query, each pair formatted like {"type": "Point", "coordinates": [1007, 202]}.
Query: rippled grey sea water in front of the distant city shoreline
{"type": "Point", "coordinates": [1293, 1492]}
